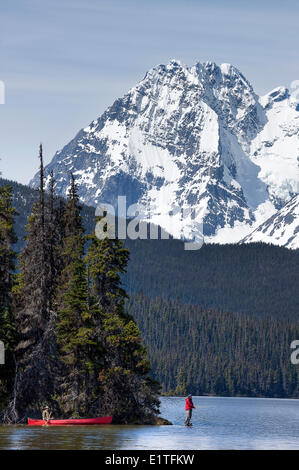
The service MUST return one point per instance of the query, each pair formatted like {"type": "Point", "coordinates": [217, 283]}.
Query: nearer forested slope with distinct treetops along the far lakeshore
{"type": "Point", "coordinates": [207, 351]}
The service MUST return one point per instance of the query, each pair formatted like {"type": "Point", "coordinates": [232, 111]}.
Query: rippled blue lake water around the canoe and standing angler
{"type": "Point", "coordinates": [218, 423]}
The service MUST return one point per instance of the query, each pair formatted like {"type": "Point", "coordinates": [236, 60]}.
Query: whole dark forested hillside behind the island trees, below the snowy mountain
{"type": "Point", "coordinates": [188, 303]}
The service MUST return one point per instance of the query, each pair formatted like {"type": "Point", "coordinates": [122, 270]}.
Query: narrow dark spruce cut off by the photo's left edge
{"type": "Point", "coordinates": [8, 333]}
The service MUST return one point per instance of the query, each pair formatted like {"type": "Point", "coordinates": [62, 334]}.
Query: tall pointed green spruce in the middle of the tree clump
{"type": "Point", "coordinates": [75, 329]}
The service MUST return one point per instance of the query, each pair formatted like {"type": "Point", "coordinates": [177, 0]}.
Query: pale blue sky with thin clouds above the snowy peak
{"type": "Point", "coordinates": [64, 61]}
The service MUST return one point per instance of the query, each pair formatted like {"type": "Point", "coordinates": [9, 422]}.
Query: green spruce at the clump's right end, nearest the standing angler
{"type": "Point", "coordinates": [127, 392]}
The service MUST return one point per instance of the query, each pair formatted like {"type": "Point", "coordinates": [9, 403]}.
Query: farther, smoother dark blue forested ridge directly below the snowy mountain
{"type": "Point", "coordinates": [254, 279]}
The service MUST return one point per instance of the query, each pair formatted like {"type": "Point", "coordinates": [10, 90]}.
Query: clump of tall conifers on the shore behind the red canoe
{"type": "Point", "coordinates": [70, 344]}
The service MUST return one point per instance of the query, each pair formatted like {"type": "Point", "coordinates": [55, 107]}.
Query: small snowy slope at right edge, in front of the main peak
{"type": "Point", "coordinates": [280, 229]}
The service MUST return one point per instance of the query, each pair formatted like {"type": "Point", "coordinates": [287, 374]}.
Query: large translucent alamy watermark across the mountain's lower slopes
{"type": "Point", "coordinates": [135, 222]}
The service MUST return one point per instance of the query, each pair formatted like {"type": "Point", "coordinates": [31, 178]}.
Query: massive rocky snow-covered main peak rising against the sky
{"type": "Point", "coordinates": [194, 138]}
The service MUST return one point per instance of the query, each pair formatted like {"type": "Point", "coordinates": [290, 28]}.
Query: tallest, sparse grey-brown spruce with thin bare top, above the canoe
{"type": "Point", "coordinates": [36, 352]}
